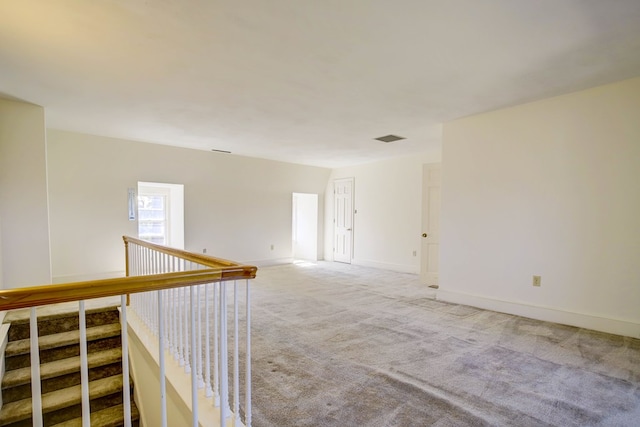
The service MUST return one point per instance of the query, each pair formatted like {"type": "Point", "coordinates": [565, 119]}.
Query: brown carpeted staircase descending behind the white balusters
{"type": "Point", "coordinates": [60, 370]}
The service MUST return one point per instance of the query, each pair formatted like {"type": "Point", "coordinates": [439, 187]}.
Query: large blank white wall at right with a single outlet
{"type": "Point", "coordinates": [550, 188]}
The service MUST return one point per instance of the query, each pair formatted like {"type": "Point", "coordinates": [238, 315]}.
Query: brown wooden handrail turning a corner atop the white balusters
{"type": "Point", "coordinates": [219, 270]}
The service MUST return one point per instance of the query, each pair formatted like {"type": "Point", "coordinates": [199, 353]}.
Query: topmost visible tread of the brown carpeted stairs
{"type": "Point", "coordinates": [46, 342]}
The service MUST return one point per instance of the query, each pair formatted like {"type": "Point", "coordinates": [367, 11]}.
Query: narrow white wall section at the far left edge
{"type": "Point", "coordinates": [24, 221]}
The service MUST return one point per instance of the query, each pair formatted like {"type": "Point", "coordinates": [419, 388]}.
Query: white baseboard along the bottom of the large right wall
{"type": "Point", "coordinates": [581, 320]}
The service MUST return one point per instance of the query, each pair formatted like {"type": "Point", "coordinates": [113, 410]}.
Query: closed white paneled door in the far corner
{"type": "Point", "coordinates": [343, 219]}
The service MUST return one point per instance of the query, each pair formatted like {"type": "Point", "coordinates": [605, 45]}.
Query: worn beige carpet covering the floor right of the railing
{"type": "Point", "coordinates": [339, 345]}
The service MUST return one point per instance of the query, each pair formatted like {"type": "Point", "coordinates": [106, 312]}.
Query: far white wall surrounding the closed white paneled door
{"type": "Point", "coordinates": [387, 225]}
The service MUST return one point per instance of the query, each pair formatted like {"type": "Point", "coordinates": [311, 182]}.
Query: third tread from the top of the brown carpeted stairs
{"type": "Point", "coordinates": [59, 399]}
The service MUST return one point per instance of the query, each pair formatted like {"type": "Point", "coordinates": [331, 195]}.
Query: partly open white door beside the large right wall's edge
{"type": "Point", "coordinates": [430, 251]}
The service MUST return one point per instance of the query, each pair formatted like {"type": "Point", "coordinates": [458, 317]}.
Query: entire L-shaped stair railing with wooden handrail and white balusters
{"type": "Point", "coordinates": [181, 297]}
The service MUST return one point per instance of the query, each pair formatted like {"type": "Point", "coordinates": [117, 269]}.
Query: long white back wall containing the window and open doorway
{"type": "Point", "coordinates": [235, 207]}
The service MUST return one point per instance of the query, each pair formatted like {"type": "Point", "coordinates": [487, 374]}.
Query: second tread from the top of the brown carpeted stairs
{"type": "Point", "coordinates": [60, 367]}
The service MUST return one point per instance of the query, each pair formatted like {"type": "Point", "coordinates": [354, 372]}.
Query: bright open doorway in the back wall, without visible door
{"type": "Point", "coordinates": [304, 224]}
